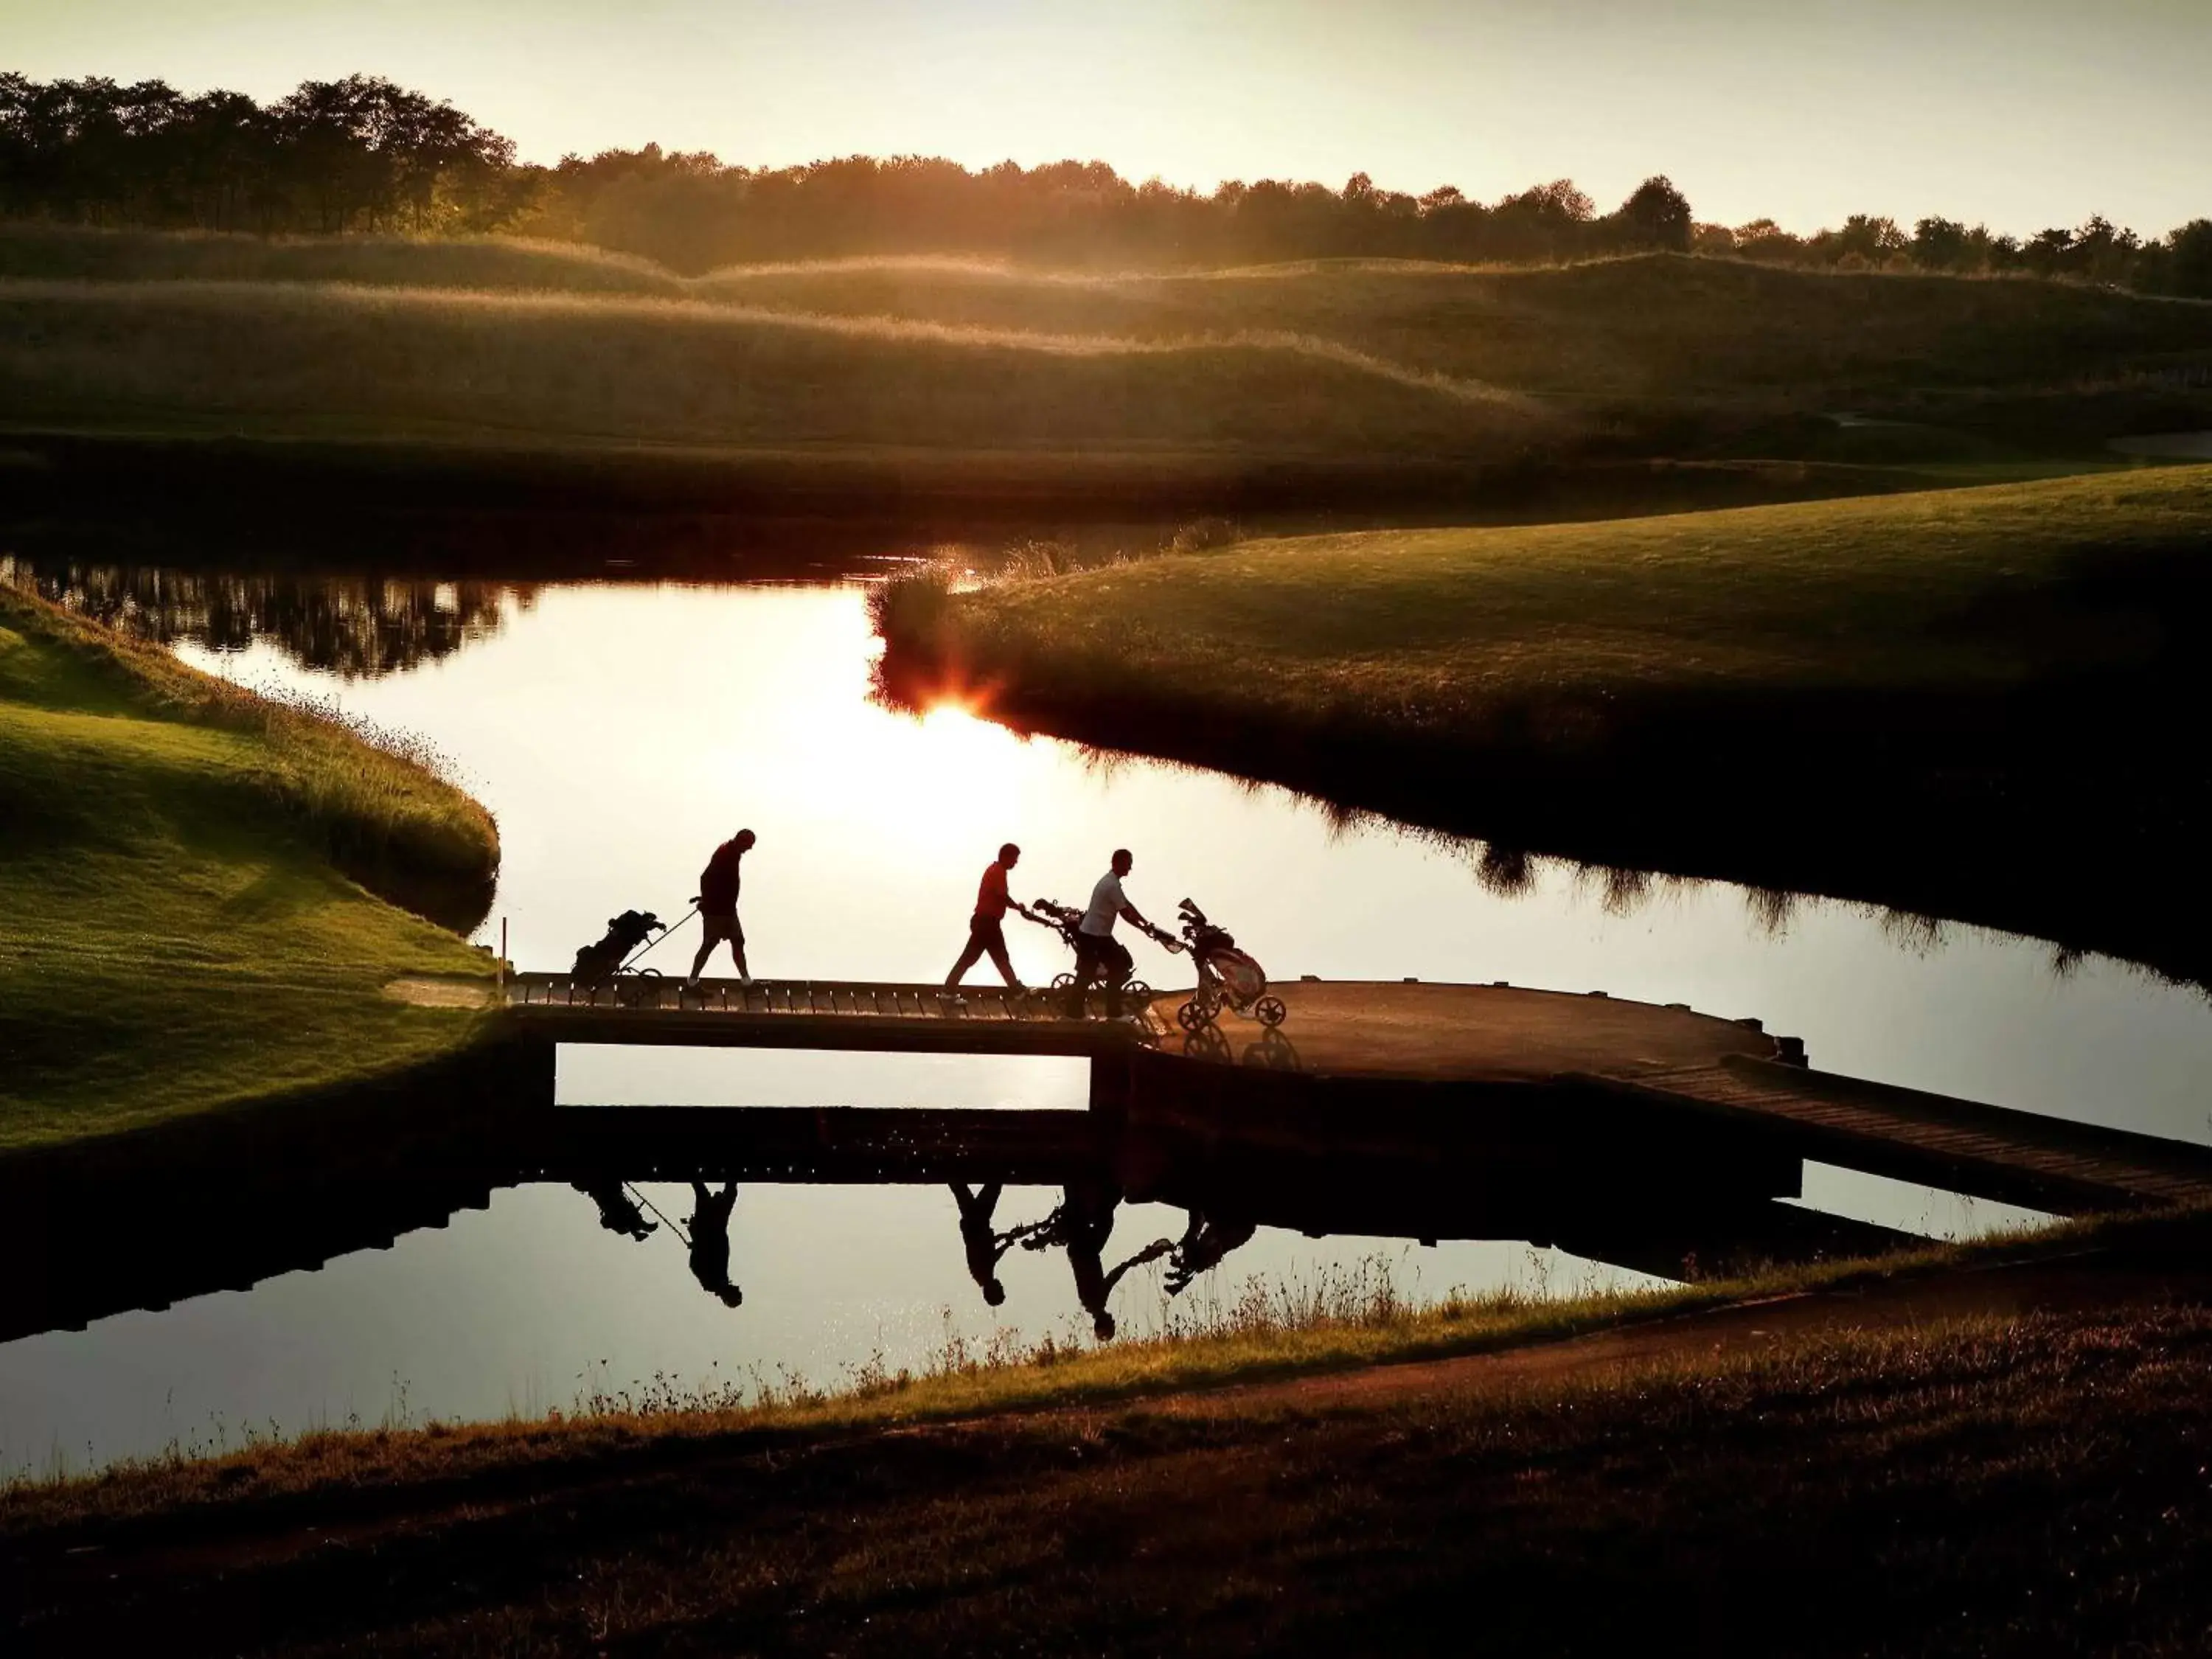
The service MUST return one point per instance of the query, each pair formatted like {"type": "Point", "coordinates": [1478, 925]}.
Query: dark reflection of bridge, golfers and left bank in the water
{"type": "Point", "coordinates": [90, 1240]}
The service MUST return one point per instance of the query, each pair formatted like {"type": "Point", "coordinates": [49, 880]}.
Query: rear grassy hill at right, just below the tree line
{"type": "Point", "coordinates": [1649, 326]}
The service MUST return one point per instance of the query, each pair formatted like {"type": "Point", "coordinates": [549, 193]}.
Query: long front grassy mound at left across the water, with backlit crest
{"type": "Point", "coordinates": [364, 362]}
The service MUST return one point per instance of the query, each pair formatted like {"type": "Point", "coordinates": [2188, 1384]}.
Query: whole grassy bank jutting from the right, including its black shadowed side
{"type": "Point", "coordinates": [1970, 705]}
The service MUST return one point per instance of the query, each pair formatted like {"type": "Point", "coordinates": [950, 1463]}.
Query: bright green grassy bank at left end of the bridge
{"type": "Point", "coordinates": [191, 879]}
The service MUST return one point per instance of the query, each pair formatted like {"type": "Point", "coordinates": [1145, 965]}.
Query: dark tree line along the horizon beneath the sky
{"type": "Point", "coordinates": [368, 156]}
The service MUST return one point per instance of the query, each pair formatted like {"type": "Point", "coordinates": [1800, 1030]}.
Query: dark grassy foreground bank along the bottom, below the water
{"type": "Point", "coordinates": [1828, 1463]}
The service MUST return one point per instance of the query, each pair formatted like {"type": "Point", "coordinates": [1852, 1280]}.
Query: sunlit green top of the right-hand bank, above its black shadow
{"type": "Point", "coordinates": [1448, 632]}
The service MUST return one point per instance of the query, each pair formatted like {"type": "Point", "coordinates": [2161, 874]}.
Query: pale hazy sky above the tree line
{"type": "Point", "coordinates": [2014, 112]}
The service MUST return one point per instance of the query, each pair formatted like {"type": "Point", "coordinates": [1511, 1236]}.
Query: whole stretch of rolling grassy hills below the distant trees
{"type": "Point", "coordinates": [1335, 362]}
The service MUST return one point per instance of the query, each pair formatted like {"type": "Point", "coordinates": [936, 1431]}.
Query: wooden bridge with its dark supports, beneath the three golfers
{"type": "Point", "coordinates": [1501, 1078]}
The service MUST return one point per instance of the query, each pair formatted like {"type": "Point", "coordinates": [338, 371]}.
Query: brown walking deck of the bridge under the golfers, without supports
{"type": "Point", "coordinates": [1452, 1034]}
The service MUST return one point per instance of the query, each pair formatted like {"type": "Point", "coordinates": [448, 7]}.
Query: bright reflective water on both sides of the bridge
{"type": "Point", "coordinates": [623, 729]}
